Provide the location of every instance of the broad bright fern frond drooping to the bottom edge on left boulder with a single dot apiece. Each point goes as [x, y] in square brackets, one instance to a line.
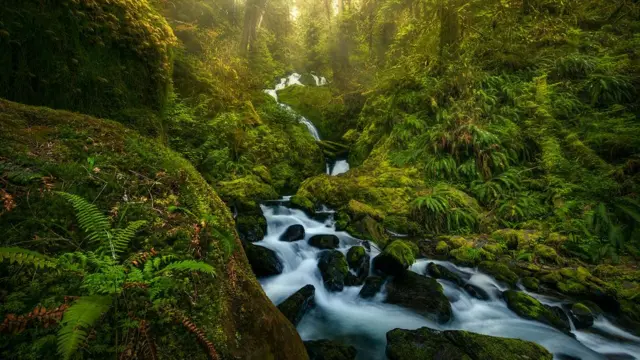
[76, 321]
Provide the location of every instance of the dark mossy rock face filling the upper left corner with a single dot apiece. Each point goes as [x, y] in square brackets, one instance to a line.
[103, 58]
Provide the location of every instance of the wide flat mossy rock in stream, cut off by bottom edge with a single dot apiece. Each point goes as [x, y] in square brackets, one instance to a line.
[429, 344]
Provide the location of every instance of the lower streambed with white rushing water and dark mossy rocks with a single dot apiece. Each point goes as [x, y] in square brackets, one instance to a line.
[349, 300]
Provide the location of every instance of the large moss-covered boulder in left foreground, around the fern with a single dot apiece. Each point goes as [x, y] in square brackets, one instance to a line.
[130, 178]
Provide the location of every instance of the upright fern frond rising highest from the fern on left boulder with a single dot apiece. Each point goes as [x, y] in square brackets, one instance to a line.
[91, 220]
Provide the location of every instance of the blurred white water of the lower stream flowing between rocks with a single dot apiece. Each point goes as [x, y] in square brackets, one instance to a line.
[346, 317]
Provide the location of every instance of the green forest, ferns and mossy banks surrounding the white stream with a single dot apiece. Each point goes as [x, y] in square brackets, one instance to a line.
[499, 130]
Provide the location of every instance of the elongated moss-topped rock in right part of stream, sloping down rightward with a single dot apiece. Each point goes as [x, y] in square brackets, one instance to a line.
[530, 308]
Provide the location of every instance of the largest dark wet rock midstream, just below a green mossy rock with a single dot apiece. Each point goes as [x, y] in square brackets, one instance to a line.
[421, 294]
